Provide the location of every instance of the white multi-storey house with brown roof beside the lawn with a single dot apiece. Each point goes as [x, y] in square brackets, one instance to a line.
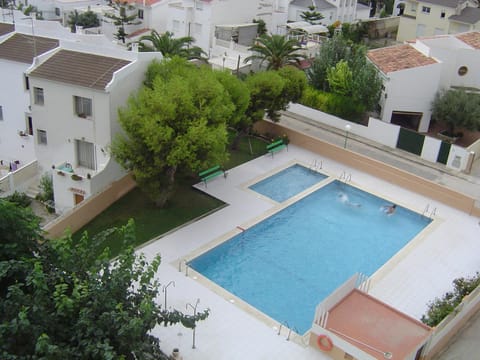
[75, 100]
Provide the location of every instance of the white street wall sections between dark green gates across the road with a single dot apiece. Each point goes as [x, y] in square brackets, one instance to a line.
[387, 134]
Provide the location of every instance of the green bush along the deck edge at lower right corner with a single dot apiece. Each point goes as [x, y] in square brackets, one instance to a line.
[438, 309]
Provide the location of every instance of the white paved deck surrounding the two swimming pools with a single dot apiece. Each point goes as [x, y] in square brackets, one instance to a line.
[423, 270]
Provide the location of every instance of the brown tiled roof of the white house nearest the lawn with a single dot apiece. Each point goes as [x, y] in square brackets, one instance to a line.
[82, 69]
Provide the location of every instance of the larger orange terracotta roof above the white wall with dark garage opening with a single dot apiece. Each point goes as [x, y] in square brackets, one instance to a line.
[400, 57]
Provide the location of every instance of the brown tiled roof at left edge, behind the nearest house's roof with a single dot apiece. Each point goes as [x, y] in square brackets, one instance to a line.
[21, 47]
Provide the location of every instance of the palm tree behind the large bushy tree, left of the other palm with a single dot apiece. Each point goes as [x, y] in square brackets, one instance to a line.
[169, 47]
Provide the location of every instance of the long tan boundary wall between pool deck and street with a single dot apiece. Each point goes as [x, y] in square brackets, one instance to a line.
[378, 169]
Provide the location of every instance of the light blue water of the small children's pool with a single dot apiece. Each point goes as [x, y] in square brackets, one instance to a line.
[288, 182]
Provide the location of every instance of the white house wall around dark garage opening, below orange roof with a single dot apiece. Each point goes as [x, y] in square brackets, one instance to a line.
[412, 90]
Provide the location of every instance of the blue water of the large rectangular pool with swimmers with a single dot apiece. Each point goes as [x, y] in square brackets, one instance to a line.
[285, 265]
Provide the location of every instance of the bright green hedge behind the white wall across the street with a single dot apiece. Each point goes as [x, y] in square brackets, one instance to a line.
[335, 104]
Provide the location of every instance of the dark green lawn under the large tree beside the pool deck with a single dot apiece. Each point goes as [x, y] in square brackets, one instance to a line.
[187, 205]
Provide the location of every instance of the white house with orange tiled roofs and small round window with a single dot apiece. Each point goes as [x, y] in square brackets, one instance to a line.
[413, 73]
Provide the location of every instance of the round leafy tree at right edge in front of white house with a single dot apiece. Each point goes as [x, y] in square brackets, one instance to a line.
[457, 108]
